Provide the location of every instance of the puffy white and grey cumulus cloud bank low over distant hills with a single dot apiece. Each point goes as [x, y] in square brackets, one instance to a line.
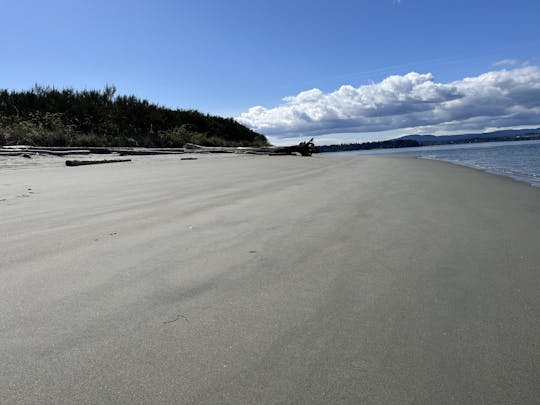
[414, 100]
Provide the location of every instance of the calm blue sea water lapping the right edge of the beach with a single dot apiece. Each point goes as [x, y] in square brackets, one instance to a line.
[519, 160]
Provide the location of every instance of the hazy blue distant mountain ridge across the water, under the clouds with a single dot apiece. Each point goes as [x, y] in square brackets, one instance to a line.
[502, 135]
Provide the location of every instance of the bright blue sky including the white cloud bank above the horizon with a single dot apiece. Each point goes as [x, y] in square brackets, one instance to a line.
[340, 71]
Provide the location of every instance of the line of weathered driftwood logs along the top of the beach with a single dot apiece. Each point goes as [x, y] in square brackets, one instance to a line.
[303, 148]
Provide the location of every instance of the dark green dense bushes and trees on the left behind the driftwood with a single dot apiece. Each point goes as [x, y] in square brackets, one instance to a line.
[45, 116]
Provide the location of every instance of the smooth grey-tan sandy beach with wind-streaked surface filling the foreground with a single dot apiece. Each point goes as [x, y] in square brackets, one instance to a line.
[258, 280]
